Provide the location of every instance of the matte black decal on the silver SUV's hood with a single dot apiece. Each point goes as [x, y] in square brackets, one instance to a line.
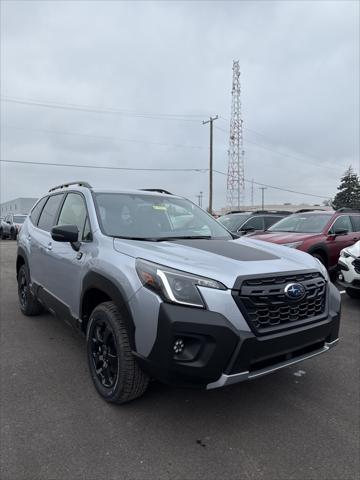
[229, 249]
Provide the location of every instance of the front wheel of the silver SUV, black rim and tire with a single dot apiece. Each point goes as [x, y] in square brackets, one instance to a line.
[116, 375]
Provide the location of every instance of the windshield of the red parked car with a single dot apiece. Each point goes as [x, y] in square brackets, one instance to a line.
[302, 223]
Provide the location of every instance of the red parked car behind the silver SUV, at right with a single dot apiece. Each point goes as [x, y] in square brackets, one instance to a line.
[321, 233]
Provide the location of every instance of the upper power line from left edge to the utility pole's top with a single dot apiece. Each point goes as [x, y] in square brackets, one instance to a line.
[105, 110]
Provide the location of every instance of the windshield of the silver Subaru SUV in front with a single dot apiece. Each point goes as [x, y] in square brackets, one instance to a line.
[151, 217]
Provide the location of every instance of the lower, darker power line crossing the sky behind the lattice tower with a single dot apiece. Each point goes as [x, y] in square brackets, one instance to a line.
[200, 170]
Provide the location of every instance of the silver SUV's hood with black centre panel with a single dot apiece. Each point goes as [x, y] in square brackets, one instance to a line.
[222, 260]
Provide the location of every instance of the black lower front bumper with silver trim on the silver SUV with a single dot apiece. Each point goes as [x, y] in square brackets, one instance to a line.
[216, 354]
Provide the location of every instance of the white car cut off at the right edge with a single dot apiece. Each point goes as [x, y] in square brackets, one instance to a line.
[349, 270]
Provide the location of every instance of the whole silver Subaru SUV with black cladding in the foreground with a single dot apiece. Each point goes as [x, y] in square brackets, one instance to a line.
[162, 290]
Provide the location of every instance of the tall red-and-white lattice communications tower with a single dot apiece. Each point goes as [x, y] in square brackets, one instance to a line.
[235, 176]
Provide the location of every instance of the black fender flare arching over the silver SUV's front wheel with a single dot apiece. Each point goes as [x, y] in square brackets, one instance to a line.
[94, 280]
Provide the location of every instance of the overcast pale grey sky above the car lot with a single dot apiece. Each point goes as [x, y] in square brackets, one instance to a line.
[164, 67]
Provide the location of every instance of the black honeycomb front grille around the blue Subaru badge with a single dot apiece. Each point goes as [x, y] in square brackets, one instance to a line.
[266, 307]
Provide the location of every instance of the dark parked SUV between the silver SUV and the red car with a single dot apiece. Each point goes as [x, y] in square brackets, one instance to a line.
[241, 223]
